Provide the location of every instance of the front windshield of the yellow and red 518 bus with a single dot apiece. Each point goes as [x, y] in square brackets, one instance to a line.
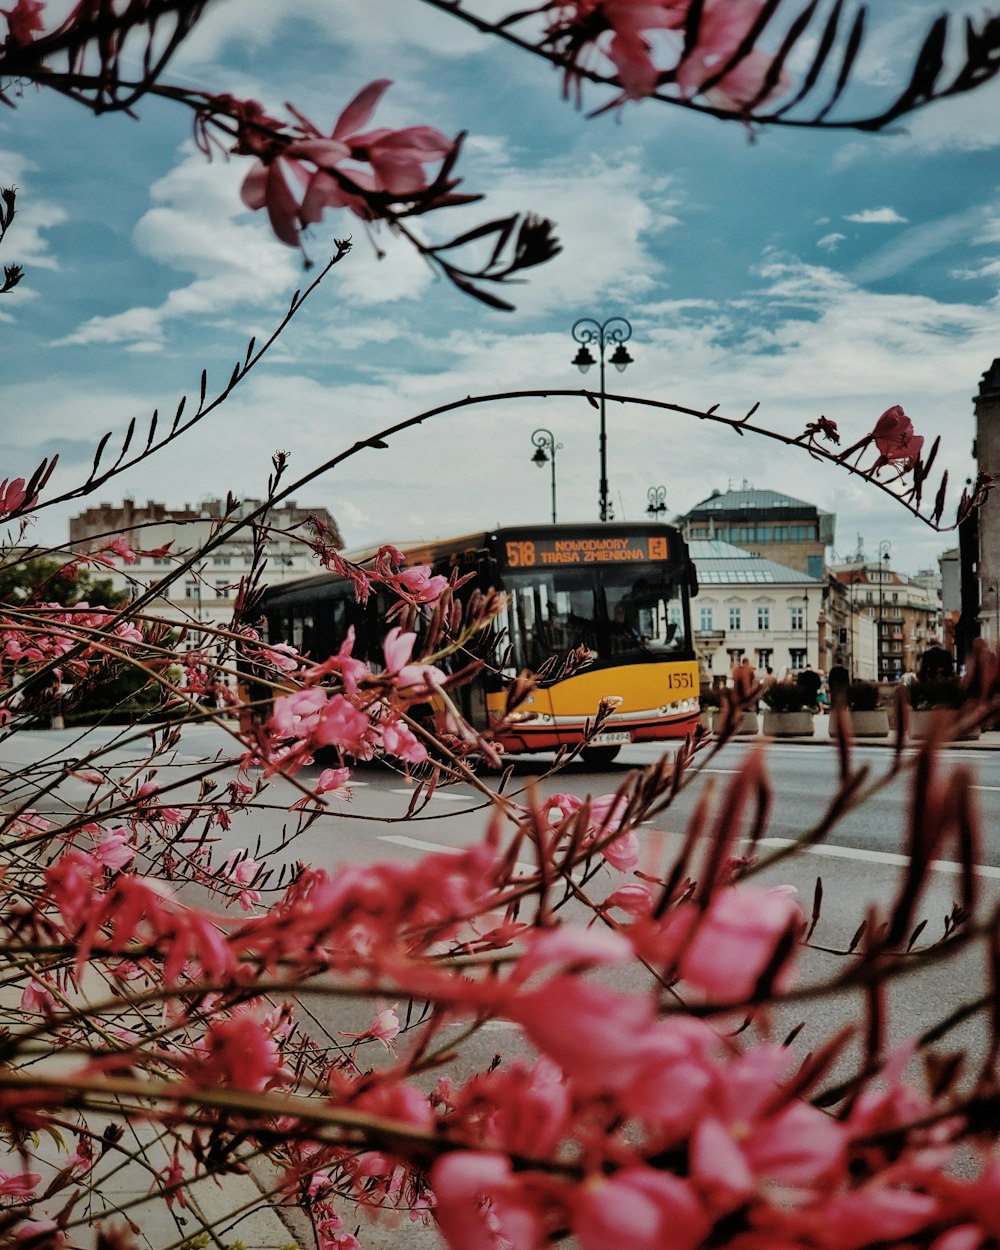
[619, 613]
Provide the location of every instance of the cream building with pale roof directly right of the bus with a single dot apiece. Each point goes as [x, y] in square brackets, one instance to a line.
[753, 607]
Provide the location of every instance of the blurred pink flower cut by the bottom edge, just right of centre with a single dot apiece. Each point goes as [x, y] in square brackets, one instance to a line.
[641, 1209]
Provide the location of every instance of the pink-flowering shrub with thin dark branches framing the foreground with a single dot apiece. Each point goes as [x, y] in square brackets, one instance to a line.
[184, 989]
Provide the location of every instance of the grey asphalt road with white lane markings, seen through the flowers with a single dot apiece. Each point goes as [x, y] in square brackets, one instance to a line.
[859, 866]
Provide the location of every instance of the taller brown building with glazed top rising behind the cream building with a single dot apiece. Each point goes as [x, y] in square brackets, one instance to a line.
[767, 523]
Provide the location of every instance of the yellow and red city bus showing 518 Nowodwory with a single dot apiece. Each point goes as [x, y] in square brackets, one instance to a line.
[622, 592]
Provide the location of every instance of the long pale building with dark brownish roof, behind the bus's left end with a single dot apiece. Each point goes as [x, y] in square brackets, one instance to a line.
[204, 593]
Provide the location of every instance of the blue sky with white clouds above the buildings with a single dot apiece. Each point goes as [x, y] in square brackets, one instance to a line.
[831, 274]
